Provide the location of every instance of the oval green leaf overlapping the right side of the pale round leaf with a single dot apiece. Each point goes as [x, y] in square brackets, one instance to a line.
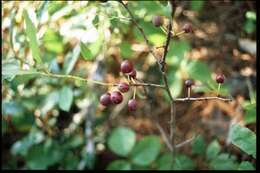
[146, 151]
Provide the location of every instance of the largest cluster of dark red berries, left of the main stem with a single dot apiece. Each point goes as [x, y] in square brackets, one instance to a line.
[116, 97]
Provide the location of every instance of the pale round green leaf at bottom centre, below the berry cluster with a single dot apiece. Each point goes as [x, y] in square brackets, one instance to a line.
[121, 141]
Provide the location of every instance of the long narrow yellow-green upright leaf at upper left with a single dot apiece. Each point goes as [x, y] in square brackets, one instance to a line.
[30, 31]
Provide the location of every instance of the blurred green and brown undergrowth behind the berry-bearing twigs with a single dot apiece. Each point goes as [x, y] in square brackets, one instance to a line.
[58, 123]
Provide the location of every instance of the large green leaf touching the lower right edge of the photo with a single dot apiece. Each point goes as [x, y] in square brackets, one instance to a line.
[243, 138]
